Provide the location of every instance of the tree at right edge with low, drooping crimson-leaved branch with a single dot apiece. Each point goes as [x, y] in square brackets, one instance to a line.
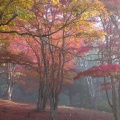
[108, 56]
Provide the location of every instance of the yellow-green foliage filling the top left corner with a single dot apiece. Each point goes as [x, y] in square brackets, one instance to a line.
[11, 9]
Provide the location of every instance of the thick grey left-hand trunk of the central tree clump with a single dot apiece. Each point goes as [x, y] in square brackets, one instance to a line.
[43, 86]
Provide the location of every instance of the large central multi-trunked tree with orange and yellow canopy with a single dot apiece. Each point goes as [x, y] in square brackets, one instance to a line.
[53, 31]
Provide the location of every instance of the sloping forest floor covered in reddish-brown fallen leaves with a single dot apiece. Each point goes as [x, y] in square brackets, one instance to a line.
[22, 111]
